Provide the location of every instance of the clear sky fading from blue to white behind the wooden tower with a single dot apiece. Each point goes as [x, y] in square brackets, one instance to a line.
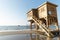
[13, 12]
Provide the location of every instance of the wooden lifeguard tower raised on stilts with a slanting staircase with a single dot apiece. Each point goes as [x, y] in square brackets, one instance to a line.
[44, 16]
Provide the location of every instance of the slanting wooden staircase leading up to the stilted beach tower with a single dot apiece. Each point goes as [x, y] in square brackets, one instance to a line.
[43, 27]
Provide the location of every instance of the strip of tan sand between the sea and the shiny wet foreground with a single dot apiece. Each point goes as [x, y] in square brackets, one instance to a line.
[13, 32]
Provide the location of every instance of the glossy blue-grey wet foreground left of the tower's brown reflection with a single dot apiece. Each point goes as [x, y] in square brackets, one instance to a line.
[14, 37]
